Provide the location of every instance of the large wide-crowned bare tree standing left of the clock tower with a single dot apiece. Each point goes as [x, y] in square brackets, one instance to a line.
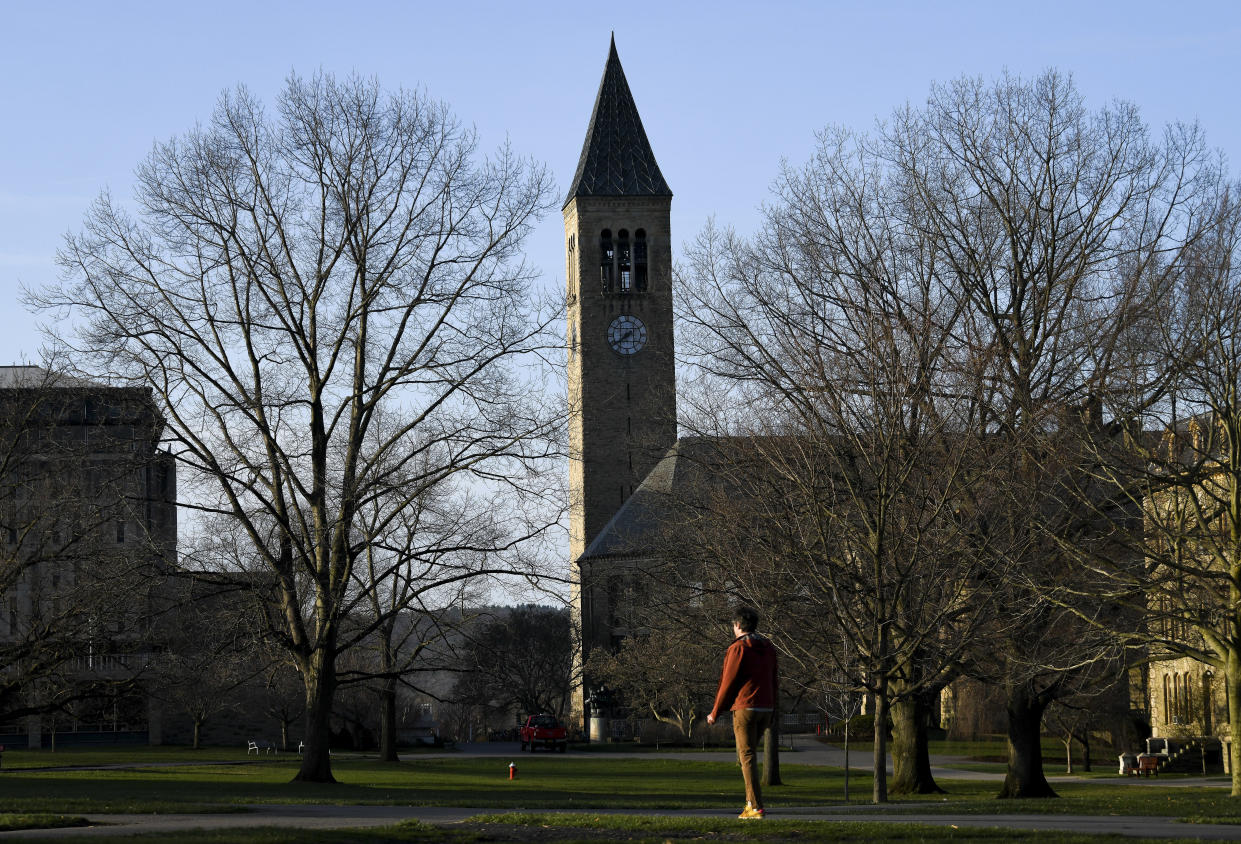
[322, 300]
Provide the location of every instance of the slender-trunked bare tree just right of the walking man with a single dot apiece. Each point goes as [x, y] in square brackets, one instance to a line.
[833, 330]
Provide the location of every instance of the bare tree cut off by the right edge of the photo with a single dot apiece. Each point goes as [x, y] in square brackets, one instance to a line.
[1171, 461]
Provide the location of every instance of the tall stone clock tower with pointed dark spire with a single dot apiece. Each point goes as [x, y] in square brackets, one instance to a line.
[620, 302]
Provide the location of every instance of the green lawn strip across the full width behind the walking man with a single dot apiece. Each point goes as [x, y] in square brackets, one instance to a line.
[559, 783]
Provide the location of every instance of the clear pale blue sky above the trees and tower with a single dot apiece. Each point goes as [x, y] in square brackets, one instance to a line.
[727, 90]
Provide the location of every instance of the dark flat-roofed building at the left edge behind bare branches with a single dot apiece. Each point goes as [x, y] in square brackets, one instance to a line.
[87, 529]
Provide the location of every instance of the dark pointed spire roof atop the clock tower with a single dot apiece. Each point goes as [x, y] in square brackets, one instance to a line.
[617, 159]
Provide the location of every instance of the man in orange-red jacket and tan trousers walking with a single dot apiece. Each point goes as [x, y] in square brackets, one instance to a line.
[749, 688]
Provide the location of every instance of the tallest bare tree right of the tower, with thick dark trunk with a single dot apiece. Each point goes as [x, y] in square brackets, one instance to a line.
[1043, 215]
